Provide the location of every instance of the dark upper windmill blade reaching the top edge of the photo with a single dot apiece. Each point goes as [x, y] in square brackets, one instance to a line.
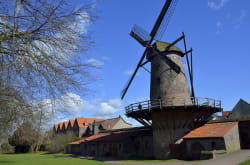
[160, 19]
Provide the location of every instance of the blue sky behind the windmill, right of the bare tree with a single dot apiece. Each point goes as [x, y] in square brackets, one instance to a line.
[217, 30]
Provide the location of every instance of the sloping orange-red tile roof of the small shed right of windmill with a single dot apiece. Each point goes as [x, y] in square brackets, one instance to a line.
[211, 130]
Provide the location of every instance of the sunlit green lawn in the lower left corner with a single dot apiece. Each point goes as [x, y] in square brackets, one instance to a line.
[44, 159]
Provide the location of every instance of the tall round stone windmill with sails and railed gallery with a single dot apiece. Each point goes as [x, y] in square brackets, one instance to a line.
[173, 109]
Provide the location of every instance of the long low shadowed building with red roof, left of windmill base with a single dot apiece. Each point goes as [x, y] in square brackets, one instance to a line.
[130, 142]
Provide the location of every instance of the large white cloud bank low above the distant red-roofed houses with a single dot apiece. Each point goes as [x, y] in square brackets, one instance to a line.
[70, 106]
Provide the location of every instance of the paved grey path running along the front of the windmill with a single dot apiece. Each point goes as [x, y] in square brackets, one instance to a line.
[234, 158]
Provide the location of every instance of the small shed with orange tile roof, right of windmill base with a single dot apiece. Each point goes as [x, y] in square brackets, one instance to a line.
[214, 137]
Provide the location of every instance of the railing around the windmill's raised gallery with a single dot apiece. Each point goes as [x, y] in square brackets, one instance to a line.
[157, 103]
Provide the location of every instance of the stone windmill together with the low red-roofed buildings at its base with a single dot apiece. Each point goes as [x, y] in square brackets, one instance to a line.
[175, 121]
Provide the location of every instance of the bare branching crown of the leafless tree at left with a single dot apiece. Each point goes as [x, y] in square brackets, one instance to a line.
[42, 43]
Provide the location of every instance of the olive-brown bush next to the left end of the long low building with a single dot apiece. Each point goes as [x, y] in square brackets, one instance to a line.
[59, 142]
